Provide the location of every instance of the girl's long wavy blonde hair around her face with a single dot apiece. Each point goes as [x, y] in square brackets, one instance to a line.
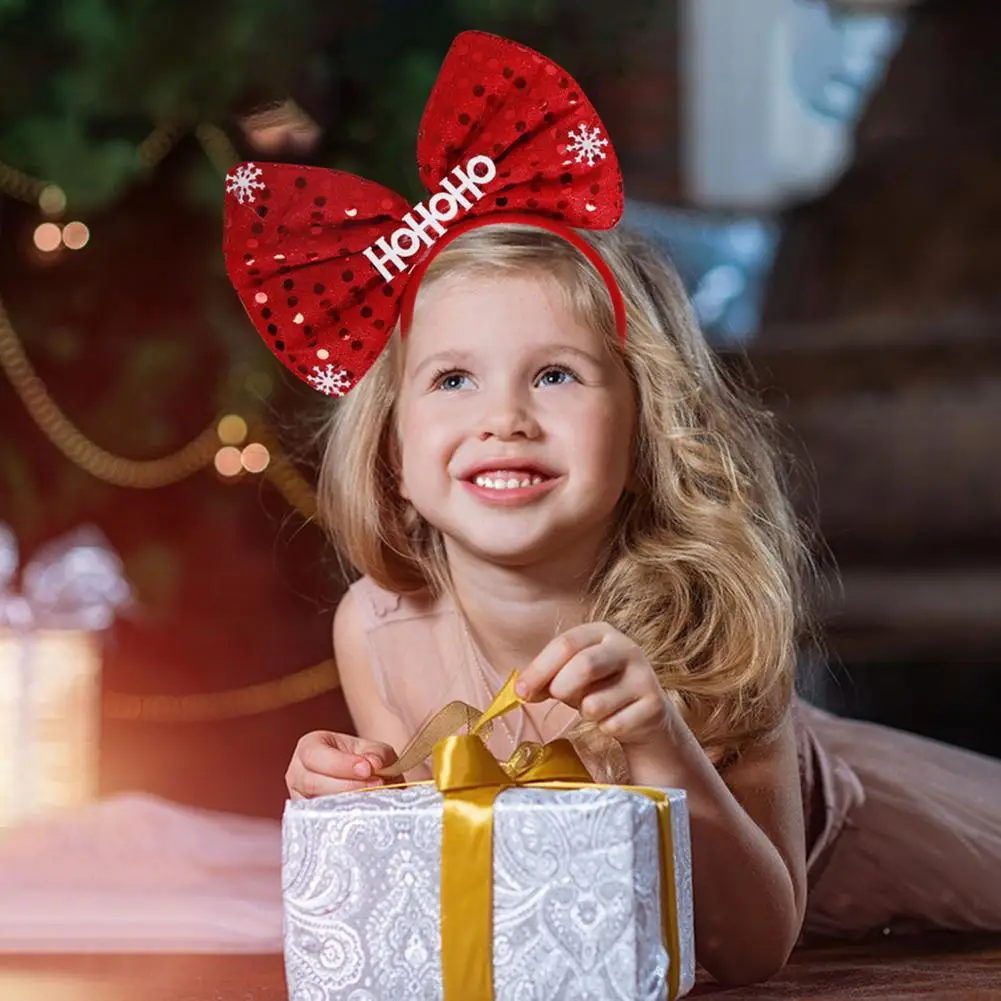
[704, 567]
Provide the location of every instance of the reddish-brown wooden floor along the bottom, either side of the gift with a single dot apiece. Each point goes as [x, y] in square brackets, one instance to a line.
[938, 968]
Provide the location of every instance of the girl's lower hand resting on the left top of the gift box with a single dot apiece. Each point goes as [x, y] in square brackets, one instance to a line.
[326, 763]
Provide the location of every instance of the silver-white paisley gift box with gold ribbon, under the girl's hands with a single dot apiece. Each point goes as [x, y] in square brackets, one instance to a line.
[513, 885]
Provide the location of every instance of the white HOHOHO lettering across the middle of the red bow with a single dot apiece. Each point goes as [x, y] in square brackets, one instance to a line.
[423, 226]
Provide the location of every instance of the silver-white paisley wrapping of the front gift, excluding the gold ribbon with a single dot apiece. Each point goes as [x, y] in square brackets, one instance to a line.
[577, 904]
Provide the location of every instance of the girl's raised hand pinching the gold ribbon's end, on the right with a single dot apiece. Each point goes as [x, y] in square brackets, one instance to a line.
[606, 677]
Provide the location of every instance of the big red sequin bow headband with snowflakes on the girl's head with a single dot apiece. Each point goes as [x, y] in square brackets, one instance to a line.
[326, 263]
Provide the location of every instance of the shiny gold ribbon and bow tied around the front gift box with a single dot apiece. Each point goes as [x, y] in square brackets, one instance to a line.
[470, 779]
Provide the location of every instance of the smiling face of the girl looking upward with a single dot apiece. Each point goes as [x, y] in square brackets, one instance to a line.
[515, 422]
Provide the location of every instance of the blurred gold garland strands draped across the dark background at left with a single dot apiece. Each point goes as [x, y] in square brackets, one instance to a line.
[153, 474]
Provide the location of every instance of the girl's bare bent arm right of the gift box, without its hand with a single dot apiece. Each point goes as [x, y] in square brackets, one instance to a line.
[748, 847]
